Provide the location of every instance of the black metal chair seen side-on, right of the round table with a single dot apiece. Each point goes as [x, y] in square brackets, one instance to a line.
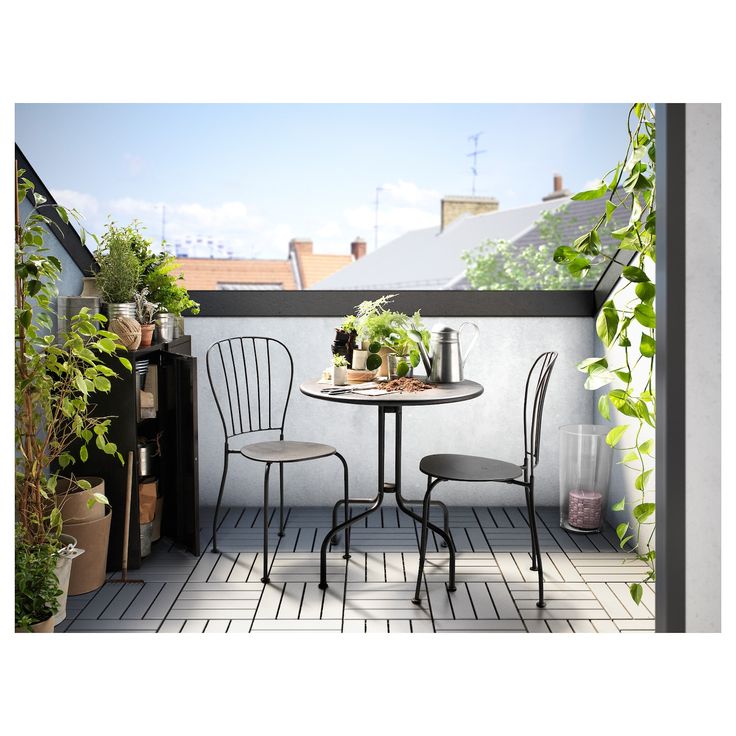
[468, 468]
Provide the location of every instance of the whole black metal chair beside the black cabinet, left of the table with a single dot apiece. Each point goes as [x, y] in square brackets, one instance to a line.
[249, 401]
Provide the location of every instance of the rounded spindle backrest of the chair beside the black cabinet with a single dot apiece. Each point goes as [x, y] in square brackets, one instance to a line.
[240, 371]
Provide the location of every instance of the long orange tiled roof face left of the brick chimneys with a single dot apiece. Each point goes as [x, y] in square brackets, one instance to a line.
[204, 274]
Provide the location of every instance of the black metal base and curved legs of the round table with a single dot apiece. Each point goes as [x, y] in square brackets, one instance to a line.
[376, 503]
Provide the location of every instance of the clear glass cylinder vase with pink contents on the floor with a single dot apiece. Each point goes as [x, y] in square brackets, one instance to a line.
[585, 471]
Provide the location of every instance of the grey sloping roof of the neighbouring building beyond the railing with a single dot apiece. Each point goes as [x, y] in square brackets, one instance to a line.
[431, 259]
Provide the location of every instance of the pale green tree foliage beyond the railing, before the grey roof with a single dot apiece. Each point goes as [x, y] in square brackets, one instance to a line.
[498, 265]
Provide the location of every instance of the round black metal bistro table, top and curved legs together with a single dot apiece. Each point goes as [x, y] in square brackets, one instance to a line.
[390, 403]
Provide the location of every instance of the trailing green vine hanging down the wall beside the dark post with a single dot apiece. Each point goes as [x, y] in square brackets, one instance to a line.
[629, 187]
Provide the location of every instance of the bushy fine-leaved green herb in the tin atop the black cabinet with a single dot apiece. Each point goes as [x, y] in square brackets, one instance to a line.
[119, 267]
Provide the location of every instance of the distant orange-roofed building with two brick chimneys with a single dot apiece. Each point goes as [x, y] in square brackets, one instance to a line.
[301, 270]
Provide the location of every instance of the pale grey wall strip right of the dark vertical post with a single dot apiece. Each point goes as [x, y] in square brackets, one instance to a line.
[703, 368]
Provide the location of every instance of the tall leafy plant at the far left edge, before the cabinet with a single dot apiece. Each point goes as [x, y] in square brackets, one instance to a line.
[54, 385]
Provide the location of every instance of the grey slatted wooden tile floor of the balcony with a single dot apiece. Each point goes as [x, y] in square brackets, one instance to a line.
[586, 578]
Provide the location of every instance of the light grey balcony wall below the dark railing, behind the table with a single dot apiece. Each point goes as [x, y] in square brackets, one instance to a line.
[489, 425]
